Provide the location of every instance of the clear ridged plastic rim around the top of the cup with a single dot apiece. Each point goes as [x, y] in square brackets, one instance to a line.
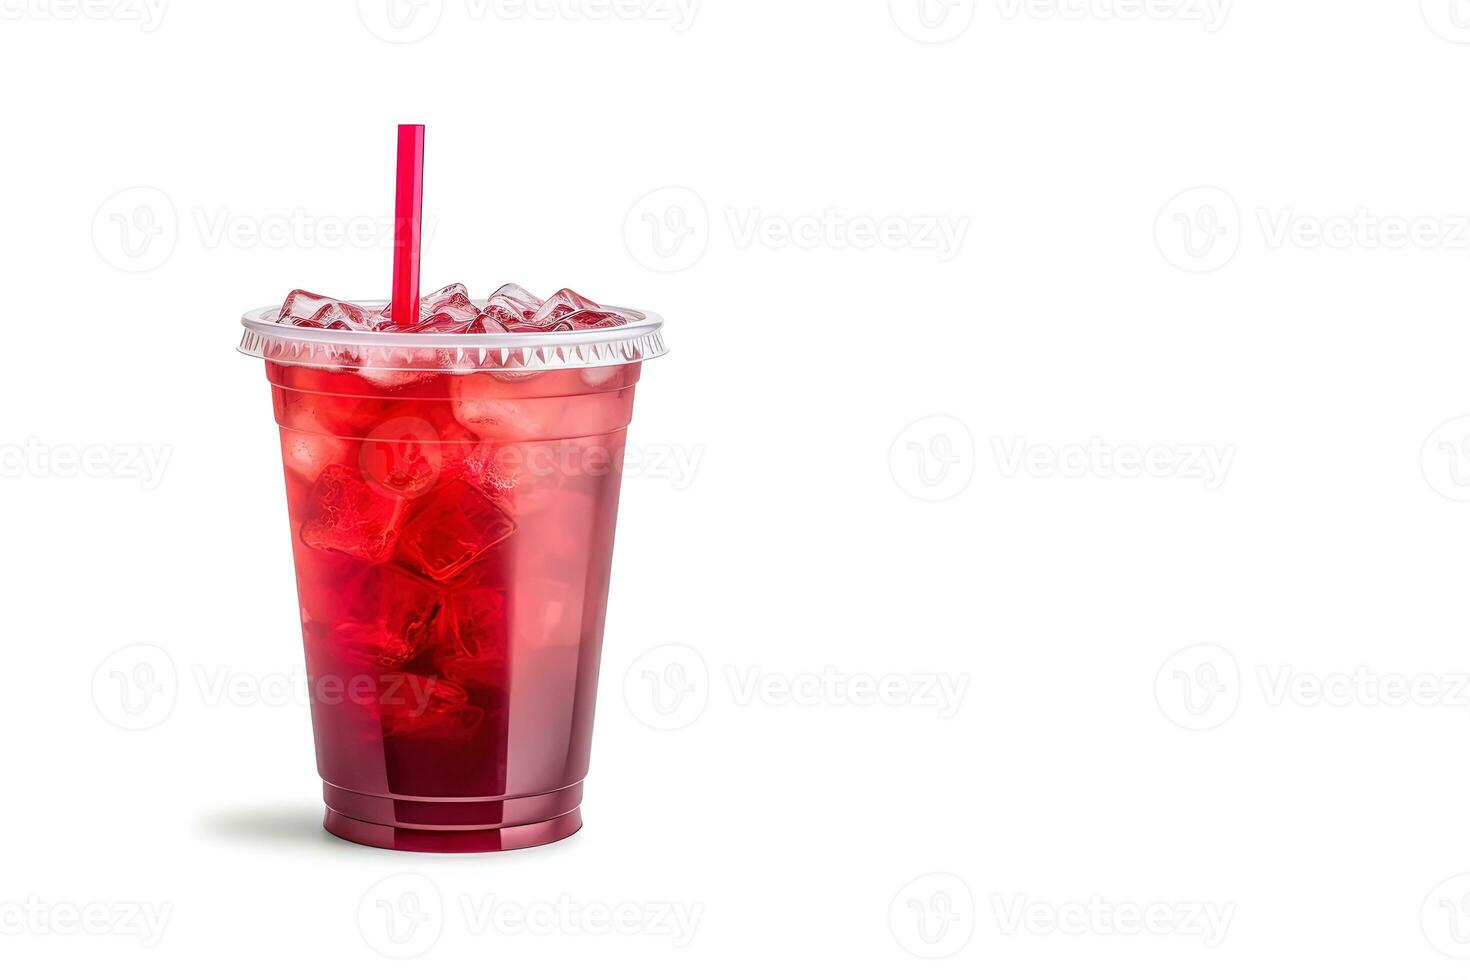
[639, 340]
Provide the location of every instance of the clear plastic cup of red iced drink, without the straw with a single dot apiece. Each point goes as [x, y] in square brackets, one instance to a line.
[453, 502]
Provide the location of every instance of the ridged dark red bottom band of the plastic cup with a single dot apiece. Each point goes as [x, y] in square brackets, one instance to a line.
[453, 826]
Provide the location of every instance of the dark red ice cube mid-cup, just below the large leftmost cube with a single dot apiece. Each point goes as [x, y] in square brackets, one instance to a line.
[390, 619]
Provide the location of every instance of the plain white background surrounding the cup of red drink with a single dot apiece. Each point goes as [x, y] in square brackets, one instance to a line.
[1097, 311]
